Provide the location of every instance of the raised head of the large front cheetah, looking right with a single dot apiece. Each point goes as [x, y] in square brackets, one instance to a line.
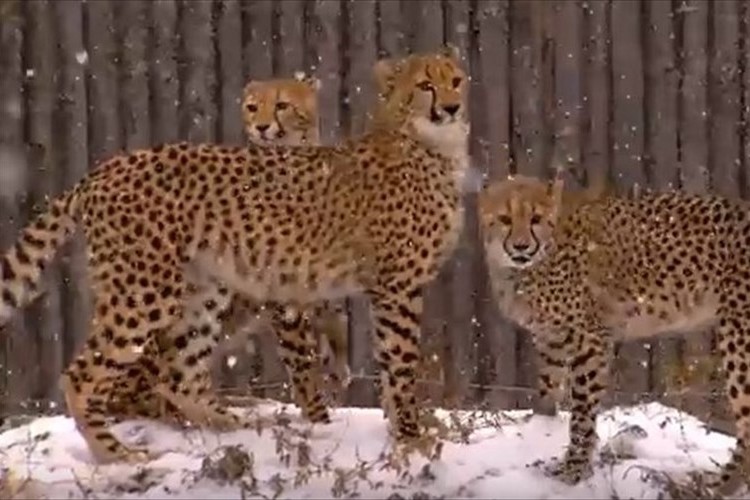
[428, 91]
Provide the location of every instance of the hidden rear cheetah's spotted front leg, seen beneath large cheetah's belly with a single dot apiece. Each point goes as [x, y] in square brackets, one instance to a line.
[298, 350]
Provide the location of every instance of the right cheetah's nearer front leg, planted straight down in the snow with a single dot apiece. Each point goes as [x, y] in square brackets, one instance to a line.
[589, 366]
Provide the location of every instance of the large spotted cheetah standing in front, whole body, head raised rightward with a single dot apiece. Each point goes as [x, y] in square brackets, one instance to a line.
[377, 214]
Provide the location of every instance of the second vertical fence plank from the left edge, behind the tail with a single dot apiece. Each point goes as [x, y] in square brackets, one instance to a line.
[41, 91]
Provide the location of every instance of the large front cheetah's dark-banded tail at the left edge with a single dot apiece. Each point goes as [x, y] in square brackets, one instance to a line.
[22, 265]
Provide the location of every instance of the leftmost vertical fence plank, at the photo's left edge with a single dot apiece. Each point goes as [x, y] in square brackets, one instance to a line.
[12, 118]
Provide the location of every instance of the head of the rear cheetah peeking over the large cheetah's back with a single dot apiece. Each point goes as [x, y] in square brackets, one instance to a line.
[281, 111]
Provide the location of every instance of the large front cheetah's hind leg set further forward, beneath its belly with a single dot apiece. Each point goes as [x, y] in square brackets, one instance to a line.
[186, 382]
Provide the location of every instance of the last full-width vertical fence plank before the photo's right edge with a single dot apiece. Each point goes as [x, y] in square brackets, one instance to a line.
[725, 99]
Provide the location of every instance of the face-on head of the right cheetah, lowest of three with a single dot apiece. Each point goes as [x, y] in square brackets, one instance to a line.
[517, 217]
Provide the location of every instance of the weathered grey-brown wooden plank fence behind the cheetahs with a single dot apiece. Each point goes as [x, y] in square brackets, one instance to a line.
[654, 93]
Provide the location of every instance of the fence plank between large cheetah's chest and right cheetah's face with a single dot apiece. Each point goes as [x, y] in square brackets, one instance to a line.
[460, 360]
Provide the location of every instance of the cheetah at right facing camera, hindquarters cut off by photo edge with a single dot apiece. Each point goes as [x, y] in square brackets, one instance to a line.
[583, 274]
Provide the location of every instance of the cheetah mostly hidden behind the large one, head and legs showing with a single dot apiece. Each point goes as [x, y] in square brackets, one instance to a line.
[282, 111]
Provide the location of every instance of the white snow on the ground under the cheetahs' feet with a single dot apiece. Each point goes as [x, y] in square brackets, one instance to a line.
[48, 458]
